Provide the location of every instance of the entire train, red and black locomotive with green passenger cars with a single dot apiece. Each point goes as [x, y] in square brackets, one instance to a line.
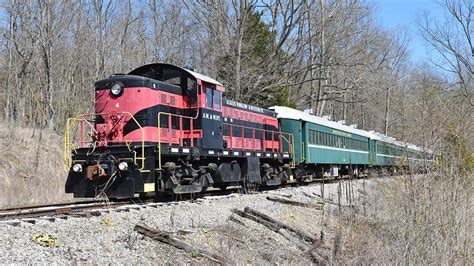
[164, 129]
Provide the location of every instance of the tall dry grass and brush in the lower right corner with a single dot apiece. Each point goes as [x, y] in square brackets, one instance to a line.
[410, 220]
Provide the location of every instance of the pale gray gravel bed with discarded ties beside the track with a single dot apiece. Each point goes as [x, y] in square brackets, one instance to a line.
[110, 238]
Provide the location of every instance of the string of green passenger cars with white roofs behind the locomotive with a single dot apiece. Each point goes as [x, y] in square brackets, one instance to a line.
[324, 147]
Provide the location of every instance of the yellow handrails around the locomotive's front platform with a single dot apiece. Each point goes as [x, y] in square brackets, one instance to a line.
[72, 123]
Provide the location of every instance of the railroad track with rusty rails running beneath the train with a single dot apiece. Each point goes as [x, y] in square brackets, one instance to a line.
[30, 214]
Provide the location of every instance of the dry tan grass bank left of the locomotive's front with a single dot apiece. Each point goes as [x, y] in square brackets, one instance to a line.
[30, 167]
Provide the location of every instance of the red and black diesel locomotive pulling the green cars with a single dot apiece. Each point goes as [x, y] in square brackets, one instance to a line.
[166, 129]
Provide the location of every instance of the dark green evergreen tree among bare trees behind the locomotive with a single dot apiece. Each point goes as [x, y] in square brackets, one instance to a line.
[255, 50]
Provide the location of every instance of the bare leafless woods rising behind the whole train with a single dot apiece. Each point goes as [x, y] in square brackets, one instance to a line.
[328, 55]
